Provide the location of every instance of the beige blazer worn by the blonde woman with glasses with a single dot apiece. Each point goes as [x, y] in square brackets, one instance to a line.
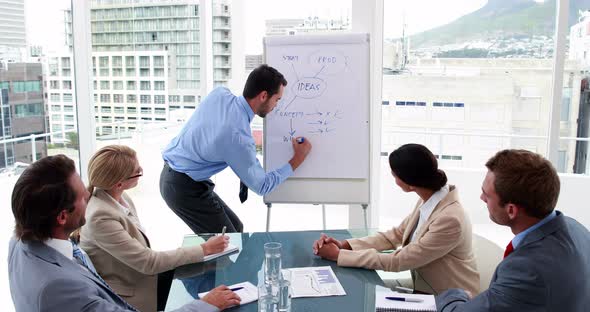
[121, 252]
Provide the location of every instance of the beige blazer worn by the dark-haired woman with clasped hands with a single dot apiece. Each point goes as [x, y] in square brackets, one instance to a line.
[441, 256]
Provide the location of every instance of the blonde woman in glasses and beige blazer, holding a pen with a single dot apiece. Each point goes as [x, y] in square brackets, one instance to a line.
[117, 244]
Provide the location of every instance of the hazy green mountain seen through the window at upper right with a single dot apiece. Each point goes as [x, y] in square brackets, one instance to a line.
[500, 19]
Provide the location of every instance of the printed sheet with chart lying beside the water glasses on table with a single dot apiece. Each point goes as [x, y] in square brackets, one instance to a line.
[315, 282]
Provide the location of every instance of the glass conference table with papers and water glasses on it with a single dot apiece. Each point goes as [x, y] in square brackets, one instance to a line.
[245, 265]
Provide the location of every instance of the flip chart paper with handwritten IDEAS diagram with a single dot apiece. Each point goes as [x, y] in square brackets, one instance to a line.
[326, 101]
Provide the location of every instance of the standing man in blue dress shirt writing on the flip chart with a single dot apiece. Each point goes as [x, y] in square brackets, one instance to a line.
[216, 136]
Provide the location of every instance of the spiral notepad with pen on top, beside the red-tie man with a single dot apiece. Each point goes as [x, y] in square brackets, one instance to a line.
[381, 304]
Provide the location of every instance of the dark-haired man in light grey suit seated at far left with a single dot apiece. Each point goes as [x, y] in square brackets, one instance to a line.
[47, 272]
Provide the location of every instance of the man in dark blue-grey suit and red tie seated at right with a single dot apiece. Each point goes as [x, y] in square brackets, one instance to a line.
[547, 264]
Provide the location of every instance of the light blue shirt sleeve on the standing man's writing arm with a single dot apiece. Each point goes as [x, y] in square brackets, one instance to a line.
[241, 157]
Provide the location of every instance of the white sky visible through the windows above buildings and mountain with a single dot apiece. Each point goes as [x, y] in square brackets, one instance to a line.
[45, 18]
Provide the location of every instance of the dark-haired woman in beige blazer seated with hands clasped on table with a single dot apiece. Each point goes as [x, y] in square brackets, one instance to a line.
[434, 241]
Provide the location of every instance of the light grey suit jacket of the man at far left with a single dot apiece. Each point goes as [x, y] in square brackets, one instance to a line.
[42, 279]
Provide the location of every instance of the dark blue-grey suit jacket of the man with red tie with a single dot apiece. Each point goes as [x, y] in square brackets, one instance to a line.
[548, 271]
